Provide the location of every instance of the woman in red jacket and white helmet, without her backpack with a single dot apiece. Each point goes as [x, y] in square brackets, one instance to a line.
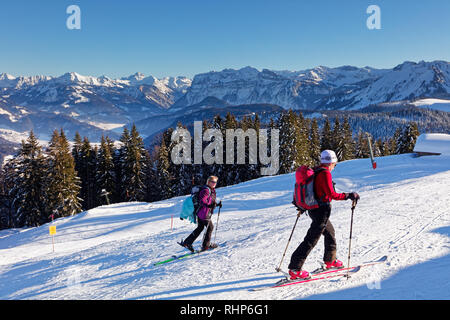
[321, 225]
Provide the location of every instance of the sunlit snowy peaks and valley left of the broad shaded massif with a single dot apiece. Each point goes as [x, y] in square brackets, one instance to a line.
[91, 105]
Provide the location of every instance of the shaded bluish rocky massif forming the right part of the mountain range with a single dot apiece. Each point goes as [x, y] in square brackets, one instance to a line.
[319, 88]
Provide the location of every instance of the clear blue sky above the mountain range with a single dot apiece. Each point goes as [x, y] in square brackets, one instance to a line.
[174, 37]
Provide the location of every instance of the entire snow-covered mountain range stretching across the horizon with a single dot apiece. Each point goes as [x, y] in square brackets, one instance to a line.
[101, 105]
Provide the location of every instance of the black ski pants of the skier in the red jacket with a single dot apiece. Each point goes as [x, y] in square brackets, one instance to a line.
[320, 225]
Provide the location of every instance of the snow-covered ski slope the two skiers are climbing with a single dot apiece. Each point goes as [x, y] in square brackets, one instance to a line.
[108, 252]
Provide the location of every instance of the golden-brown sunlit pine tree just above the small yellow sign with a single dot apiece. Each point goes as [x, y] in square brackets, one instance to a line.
[63, 185]
